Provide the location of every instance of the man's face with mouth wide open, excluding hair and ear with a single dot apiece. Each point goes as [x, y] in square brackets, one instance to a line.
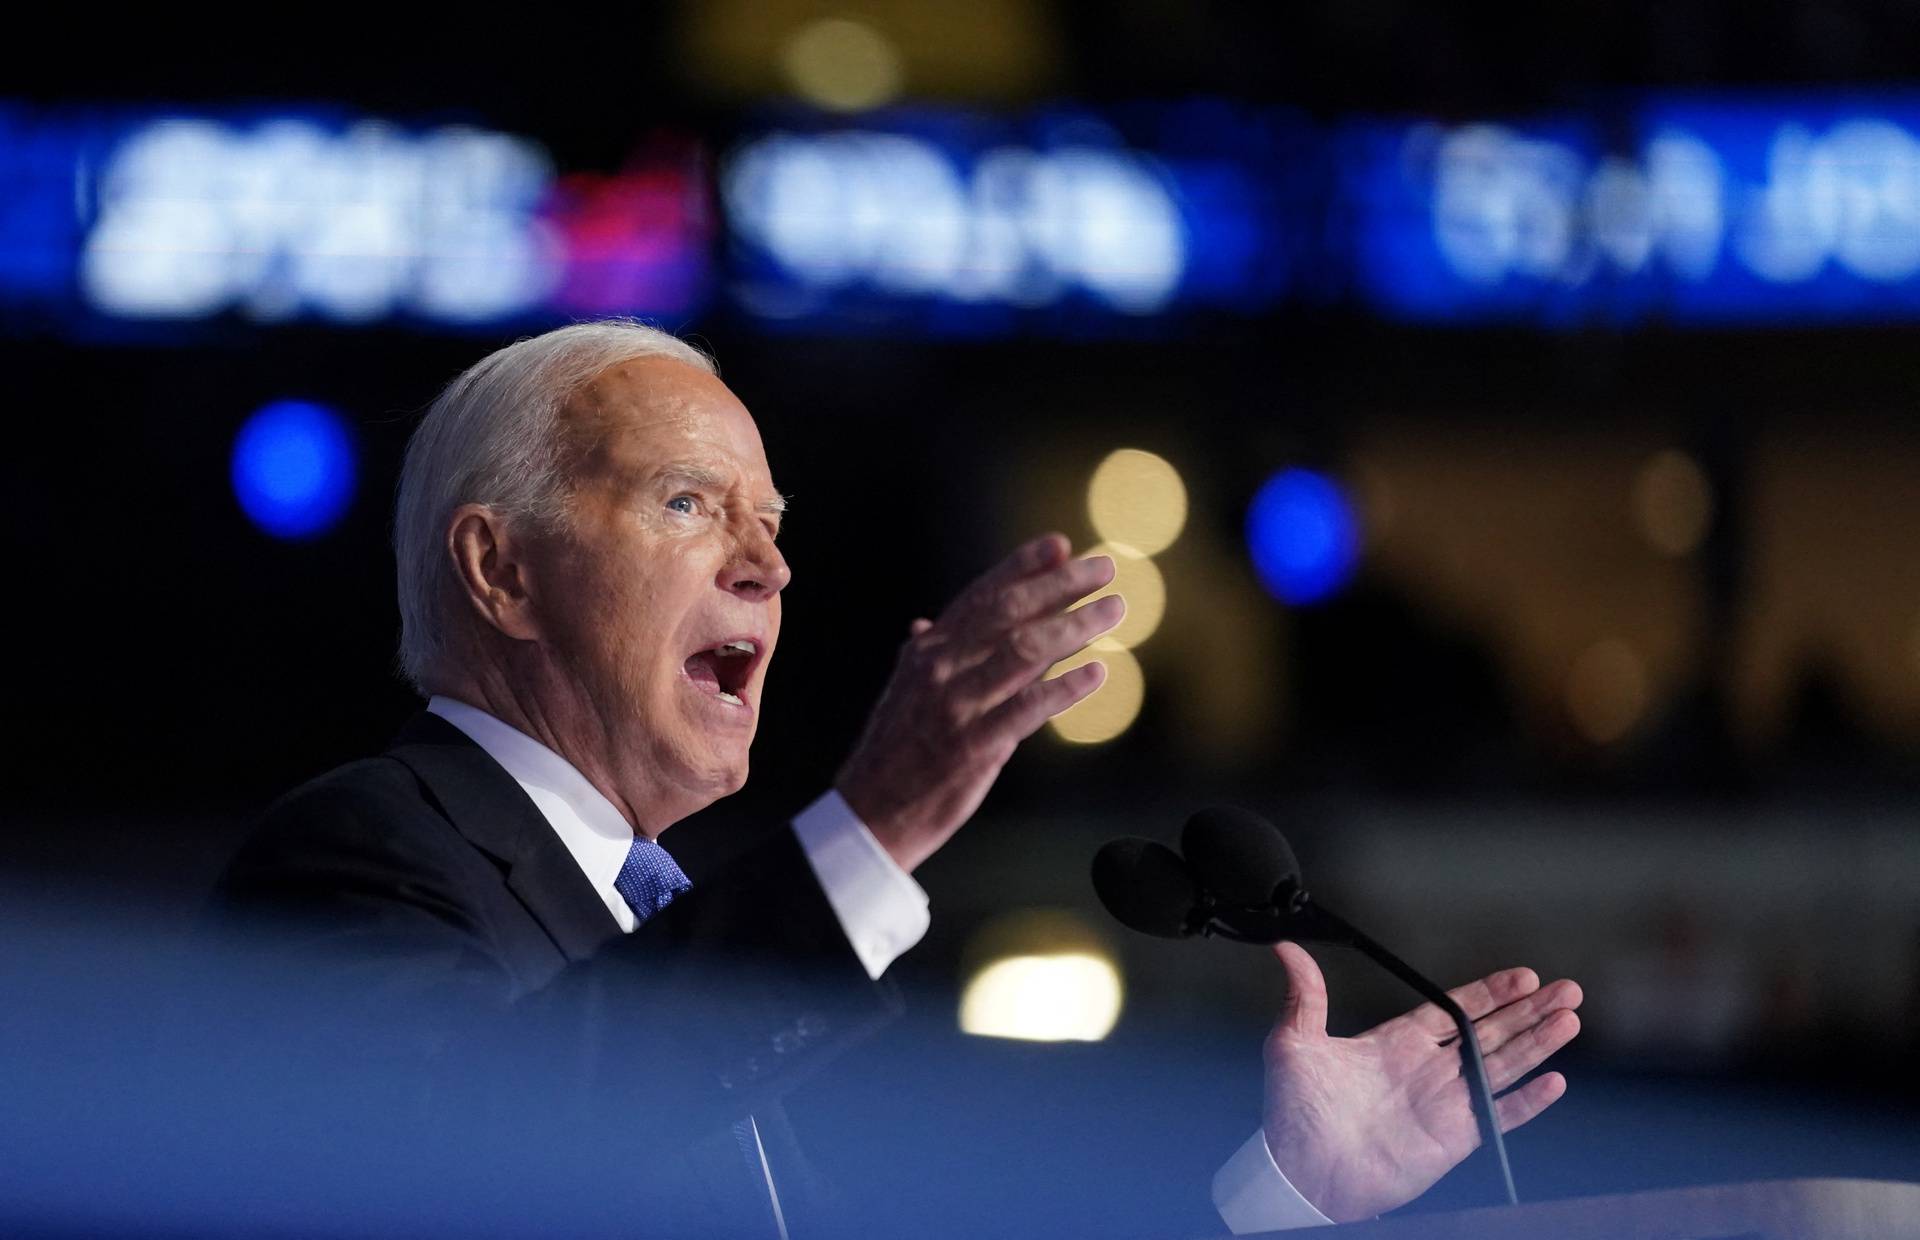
[661, 596]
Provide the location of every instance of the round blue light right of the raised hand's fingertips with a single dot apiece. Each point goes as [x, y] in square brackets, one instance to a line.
[1303, 537]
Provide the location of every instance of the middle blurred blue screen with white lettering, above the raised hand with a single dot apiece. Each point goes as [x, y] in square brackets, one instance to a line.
[961, 224]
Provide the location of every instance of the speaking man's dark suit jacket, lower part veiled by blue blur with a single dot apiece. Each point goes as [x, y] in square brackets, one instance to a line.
[446, 942]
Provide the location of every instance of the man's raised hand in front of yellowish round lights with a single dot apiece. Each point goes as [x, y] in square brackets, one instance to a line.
[969, 690]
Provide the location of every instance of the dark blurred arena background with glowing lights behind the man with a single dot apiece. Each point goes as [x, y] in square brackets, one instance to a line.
[1502, 419]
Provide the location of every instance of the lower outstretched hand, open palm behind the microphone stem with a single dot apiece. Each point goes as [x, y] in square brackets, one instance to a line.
[1366, 1124]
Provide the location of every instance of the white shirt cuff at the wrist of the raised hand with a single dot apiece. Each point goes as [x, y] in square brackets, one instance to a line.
[880, 907]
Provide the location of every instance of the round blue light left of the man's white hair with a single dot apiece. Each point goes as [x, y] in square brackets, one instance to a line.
[293, 469]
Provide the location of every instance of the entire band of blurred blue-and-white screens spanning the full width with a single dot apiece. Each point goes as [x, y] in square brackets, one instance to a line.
[1660, 208]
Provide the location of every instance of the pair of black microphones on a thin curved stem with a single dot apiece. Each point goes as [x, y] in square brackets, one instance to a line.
[1241, 882]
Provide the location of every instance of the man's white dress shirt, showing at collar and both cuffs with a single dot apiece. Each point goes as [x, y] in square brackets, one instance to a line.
[880, 907]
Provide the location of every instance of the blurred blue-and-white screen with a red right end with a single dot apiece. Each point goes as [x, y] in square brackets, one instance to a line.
[316, 216]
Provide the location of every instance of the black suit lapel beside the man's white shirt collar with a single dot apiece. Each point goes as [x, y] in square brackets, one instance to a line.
[485, 805]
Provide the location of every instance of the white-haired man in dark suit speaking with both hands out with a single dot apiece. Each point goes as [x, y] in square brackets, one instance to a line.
[590, 592]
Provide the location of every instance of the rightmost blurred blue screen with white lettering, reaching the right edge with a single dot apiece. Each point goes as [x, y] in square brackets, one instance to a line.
[1704, 210]
